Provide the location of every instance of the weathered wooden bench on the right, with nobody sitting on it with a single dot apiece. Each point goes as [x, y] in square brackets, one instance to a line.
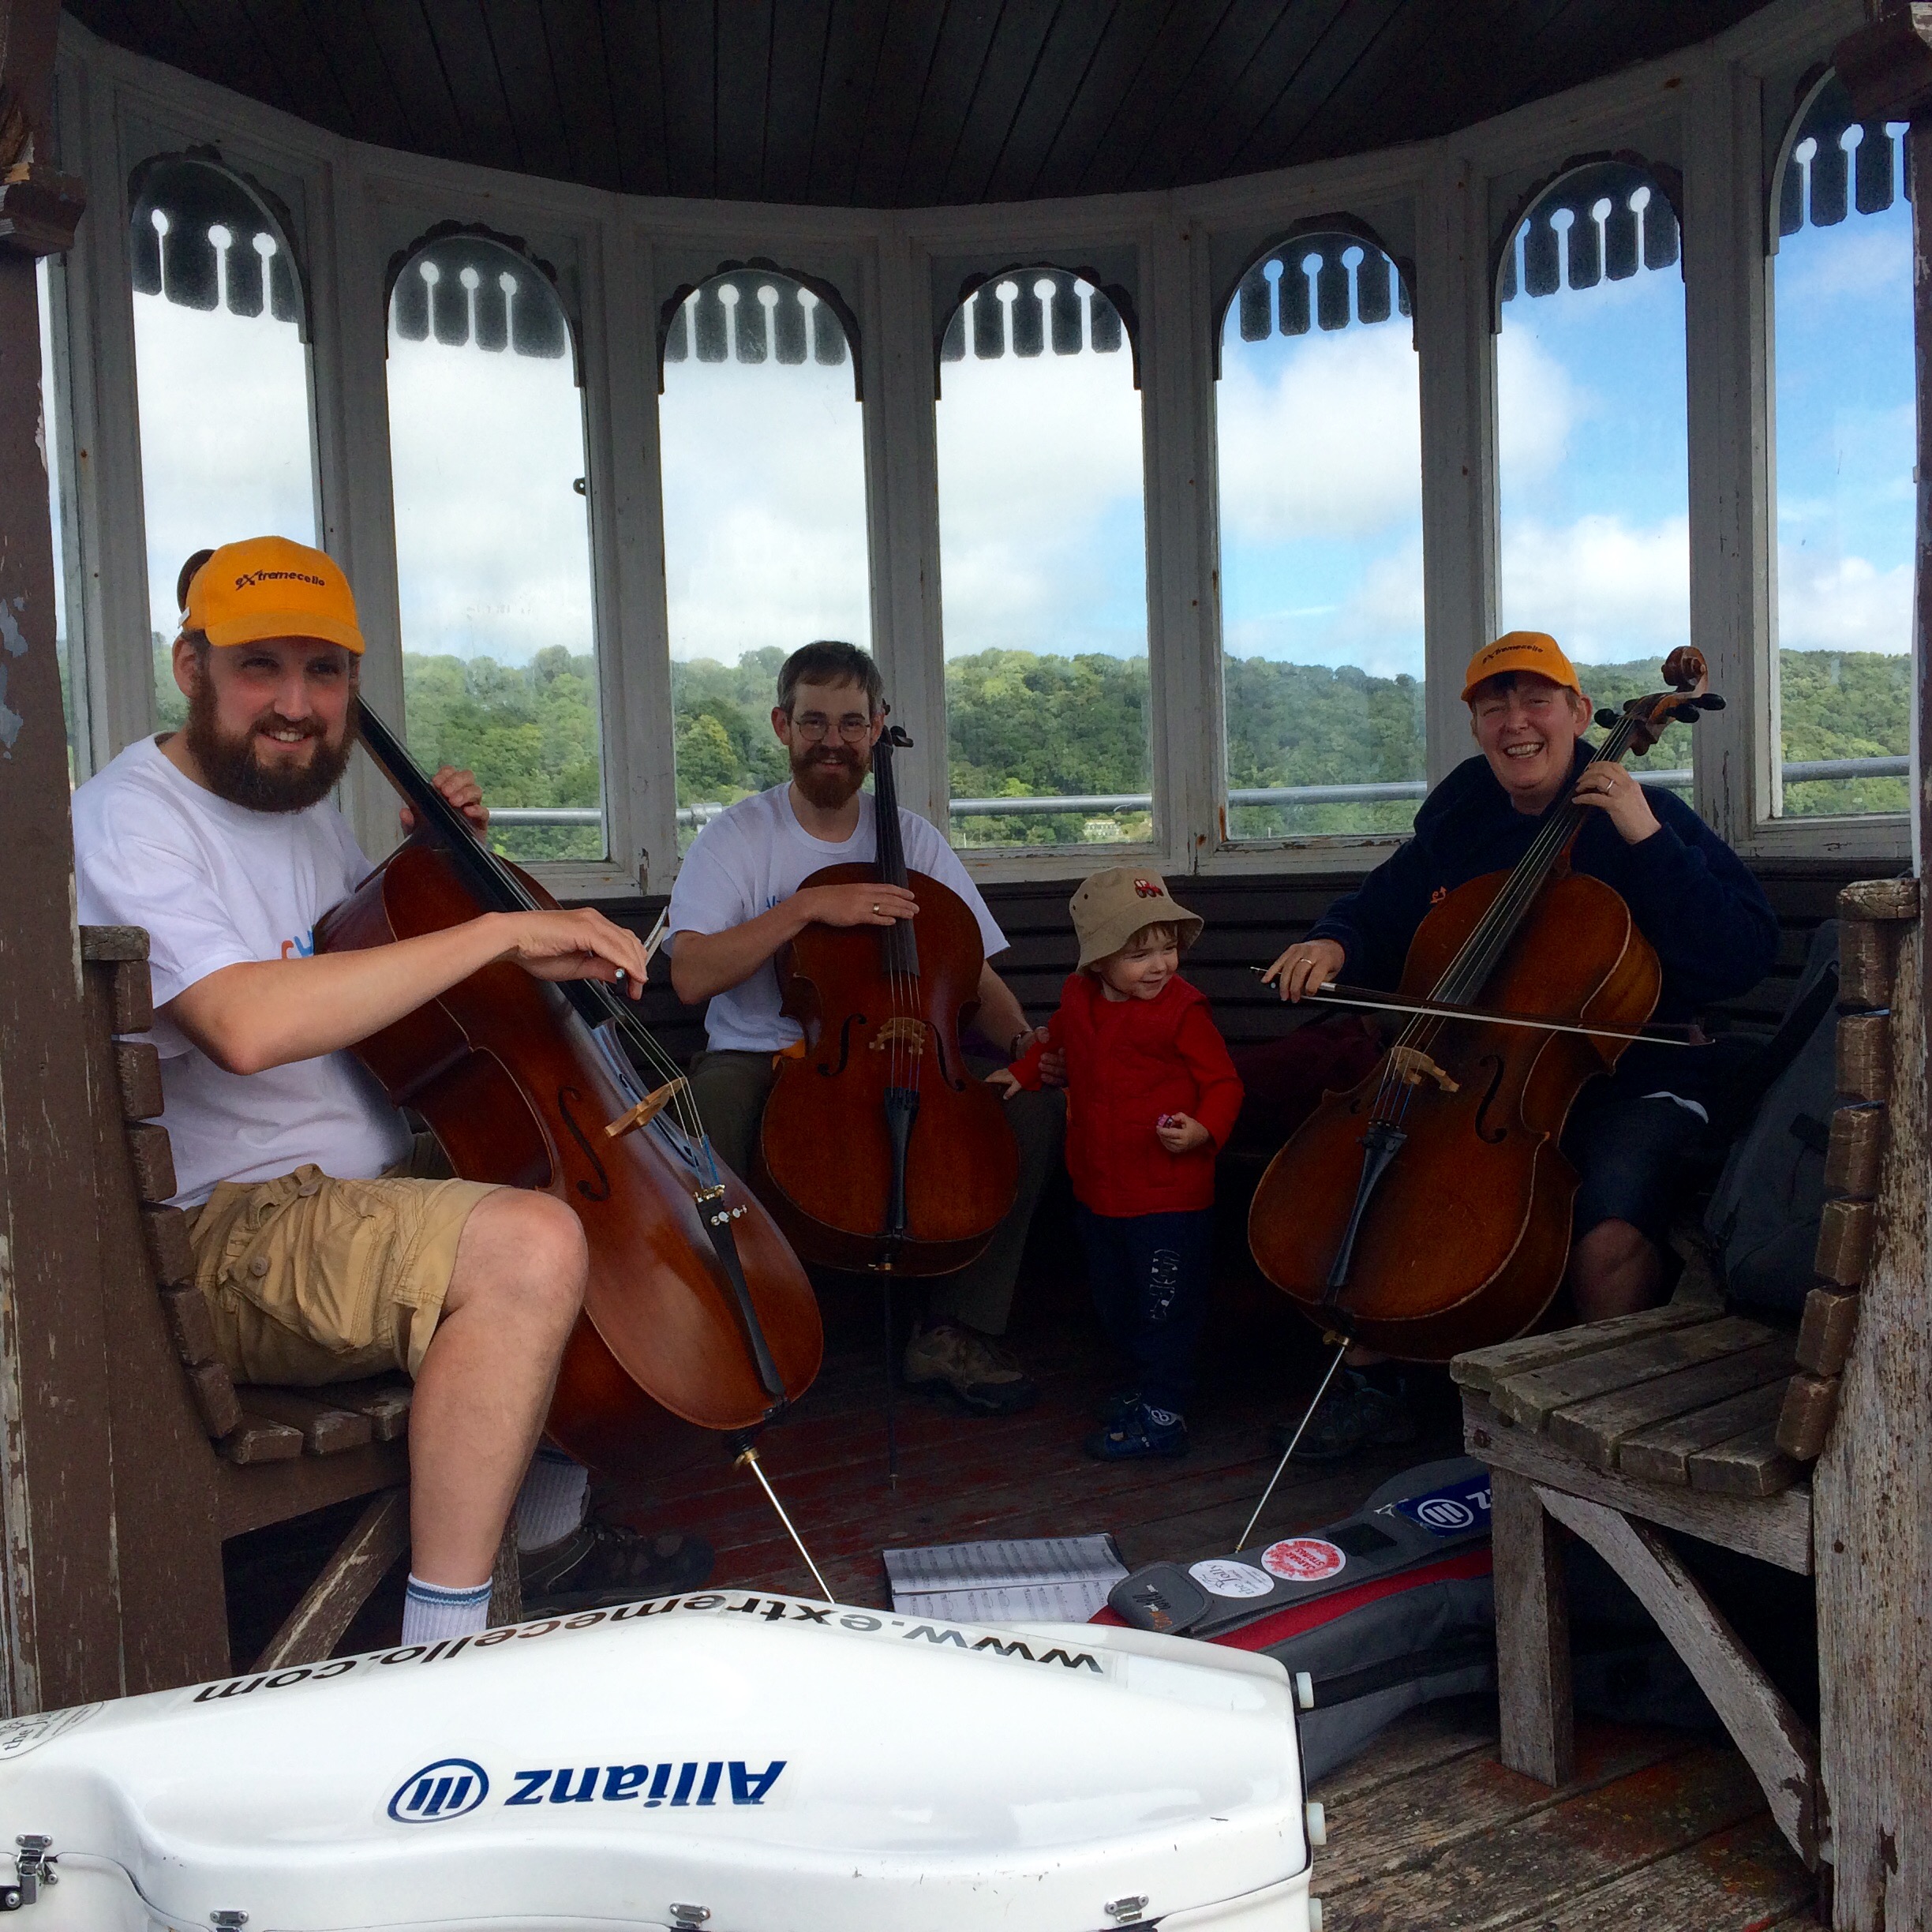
[1690, 1419]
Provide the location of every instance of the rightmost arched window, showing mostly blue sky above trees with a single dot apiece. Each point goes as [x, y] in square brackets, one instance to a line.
[1842, 314]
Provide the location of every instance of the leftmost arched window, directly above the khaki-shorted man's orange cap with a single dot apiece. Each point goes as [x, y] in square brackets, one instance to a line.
[221, 374]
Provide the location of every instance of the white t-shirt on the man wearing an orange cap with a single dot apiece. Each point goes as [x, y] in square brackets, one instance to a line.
[219, 886]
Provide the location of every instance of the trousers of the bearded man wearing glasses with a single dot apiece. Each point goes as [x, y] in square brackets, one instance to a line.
[731, 1098]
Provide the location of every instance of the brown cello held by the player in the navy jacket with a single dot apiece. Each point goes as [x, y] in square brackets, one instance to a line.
[1429, 1210]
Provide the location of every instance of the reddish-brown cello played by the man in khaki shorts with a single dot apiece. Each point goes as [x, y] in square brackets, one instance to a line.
[695, 1307]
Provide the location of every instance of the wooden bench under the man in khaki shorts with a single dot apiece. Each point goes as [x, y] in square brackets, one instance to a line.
[196, 1458]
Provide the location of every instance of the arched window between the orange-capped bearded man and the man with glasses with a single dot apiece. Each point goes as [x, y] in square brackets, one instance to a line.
[494, 565]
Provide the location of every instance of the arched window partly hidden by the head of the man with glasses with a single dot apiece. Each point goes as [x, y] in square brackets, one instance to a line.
[764, 474]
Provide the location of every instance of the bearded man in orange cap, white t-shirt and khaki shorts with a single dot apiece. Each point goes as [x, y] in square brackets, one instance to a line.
[327, 1243]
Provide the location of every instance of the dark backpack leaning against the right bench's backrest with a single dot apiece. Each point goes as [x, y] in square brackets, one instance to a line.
[1769, 1201]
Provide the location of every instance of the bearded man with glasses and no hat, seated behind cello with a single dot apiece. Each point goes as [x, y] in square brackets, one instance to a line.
[741, 899]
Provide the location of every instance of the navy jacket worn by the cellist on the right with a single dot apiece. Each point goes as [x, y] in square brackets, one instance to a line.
[1690, 894]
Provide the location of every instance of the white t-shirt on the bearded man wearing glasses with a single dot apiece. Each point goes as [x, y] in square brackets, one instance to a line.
[754, 855]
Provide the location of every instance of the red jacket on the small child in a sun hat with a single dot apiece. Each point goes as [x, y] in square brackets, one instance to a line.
[1131, 1062]
